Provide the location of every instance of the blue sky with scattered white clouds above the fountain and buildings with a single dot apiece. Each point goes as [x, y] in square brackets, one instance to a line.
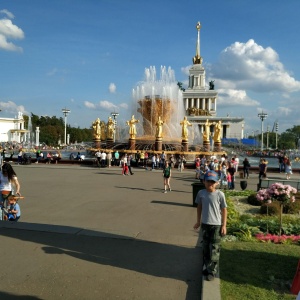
[88, 55]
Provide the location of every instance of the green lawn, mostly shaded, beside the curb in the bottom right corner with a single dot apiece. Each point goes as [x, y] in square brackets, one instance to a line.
[262, 271]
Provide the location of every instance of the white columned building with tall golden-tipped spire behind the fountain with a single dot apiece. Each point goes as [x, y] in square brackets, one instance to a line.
[200, 101]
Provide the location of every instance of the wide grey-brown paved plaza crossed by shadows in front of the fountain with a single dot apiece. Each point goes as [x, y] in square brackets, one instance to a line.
[90, 233]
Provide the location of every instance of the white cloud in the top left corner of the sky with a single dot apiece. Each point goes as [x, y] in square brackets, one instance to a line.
[9, 31]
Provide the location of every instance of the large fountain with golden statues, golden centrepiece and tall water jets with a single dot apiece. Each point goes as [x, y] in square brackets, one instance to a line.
[158, 101]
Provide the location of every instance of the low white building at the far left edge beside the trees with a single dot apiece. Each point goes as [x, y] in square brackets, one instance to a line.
[12, 129]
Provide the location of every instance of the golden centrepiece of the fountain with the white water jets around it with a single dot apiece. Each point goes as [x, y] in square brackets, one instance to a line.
[154, 98]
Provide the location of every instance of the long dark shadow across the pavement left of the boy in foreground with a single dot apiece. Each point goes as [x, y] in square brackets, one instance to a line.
[154, 259]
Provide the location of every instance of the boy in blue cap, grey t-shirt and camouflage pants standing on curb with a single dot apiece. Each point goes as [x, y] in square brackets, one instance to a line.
[212, 215]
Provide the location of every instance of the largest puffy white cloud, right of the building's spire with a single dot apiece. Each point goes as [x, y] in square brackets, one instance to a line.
[249, 66]
